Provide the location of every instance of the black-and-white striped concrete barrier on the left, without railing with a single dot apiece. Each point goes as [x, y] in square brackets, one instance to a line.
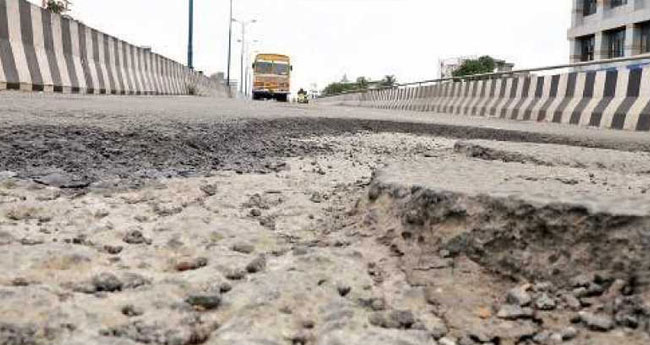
[42, 51]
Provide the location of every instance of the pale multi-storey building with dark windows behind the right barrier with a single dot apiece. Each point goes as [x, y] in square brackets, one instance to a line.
[607, 29]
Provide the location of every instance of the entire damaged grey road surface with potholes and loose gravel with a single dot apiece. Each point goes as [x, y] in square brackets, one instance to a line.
[297, 226]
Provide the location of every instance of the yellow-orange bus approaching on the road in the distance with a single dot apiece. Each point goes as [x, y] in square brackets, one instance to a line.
[271, 77]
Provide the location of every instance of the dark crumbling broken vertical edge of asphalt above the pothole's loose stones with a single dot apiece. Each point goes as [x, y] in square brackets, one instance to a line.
[519, 239]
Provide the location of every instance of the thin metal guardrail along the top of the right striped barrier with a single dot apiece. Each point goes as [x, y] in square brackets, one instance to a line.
[500, 74]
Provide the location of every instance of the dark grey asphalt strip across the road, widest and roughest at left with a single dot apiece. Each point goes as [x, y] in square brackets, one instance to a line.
[73, 156]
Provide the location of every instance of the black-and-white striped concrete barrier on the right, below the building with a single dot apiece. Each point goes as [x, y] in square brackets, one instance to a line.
[615, 98]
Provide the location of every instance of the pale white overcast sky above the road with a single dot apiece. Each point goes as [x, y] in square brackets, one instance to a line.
[329, 38]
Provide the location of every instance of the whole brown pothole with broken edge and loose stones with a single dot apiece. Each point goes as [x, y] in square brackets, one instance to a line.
[564, 271]
